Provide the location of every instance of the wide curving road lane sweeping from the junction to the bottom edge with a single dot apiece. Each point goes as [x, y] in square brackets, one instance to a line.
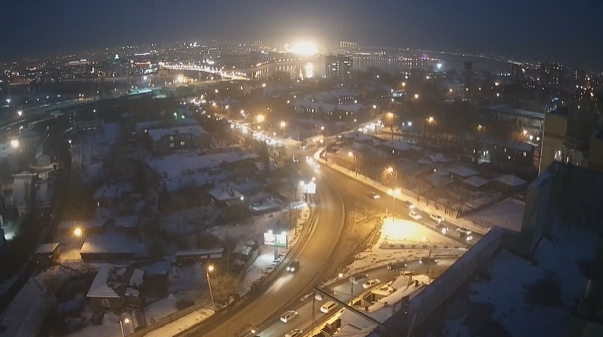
[313, 257]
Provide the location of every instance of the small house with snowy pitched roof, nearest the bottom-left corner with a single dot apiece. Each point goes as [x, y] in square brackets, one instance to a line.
[116, 287]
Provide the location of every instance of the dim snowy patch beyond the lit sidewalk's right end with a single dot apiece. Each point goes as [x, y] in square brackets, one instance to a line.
[506, 214]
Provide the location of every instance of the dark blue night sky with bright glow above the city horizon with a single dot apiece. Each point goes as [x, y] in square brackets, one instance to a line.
[570, 32]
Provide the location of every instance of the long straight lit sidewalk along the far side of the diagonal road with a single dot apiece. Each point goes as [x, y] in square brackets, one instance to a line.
[406, 195]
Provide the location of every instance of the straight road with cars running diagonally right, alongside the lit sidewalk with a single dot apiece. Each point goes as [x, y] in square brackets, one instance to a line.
[359, 192]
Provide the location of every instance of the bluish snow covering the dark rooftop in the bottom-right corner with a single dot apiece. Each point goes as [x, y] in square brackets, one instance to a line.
[543, 290]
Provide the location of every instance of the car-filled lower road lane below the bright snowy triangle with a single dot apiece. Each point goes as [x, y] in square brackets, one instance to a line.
[309, 313]
